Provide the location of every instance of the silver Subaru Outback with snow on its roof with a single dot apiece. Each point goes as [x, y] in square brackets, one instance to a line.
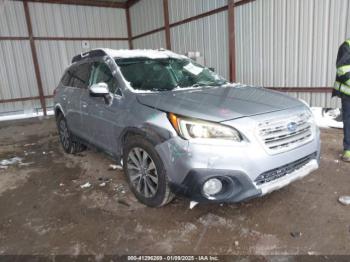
[178, 128]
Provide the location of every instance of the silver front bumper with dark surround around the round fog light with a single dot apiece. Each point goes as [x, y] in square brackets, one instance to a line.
[189, 164]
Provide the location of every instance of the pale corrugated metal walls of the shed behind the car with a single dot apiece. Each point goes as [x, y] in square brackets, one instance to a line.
[280, 43]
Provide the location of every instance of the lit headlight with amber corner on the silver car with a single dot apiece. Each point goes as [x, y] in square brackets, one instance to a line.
[197, 129]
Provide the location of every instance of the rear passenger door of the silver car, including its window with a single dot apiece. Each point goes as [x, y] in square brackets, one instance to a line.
[76, 110]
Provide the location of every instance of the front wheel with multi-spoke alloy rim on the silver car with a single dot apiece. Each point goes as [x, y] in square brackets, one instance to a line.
[148, 182]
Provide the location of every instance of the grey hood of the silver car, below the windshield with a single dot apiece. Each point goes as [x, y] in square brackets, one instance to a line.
[219, 103]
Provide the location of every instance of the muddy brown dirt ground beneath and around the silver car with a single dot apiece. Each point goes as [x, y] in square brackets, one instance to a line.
[44, 210]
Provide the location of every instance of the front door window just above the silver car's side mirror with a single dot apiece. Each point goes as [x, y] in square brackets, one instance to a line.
[102, 74]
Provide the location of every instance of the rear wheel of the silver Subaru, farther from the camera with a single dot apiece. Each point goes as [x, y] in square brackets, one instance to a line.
[68, 141]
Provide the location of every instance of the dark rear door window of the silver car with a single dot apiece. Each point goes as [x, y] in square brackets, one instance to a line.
[80, 75]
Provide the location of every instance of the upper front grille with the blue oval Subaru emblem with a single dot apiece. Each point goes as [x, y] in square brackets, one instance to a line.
[280, 135]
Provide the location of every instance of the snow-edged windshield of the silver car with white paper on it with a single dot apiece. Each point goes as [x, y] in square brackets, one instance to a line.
[166, 74]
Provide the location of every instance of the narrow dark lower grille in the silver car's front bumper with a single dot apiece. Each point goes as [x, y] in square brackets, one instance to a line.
[283, 170]
